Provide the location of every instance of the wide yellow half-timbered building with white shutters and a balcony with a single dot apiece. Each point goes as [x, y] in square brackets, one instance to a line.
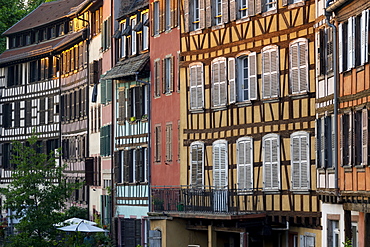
[247, 121]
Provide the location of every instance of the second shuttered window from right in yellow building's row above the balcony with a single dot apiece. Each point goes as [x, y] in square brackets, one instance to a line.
[271, 162]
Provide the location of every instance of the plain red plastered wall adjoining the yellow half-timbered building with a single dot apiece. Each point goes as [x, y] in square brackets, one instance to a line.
[165, 109]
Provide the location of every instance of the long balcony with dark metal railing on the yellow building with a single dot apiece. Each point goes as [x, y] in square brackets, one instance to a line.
[280, 205]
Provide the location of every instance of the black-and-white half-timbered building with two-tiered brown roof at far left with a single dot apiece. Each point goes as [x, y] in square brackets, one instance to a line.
[31, 71]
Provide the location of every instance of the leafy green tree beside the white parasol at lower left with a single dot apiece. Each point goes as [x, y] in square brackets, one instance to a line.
[36, 194]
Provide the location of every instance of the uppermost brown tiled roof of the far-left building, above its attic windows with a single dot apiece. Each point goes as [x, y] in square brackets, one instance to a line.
[46, 13]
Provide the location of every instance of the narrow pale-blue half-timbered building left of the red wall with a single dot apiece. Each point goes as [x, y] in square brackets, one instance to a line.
[127, 83]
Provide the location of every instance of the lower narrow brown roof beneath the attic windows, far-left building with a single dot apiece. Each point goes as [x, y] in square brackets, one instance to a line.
[28, 52]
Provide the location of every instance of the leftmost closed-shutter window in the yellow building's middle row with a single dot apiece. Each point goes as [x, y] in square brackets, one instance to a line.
[196, 86]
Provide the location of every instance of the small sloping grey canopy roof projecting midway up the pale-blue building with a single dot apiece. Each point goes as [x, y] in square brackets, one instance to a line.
[128, 67]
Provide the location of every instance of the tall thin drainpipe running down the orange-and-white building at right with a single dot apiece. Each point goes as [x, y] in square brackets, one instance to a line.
[335, 65]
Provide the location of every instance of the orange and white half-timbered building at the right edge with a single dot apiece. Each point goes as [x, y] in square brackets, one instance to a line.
[342, 102]
